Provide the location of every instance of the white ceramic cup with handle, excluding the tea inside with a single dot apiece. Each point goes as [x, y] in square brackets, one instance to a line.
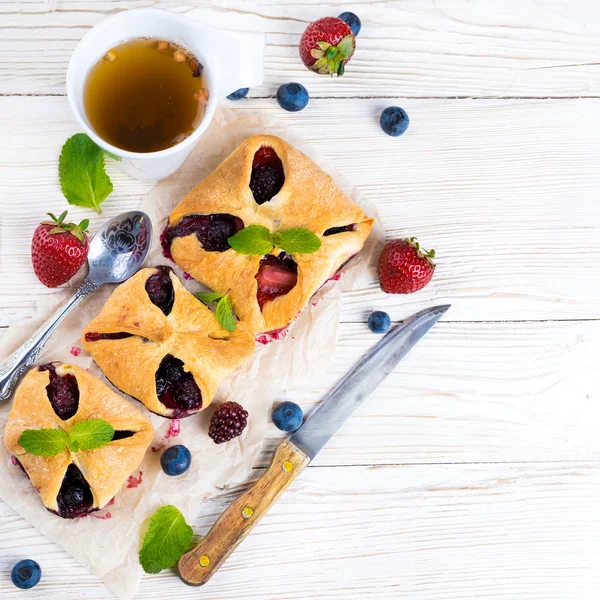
[231, 60]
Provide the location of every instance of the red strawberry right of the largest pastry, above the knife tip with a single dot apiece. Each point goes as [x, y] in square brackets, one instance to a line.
[404, 267]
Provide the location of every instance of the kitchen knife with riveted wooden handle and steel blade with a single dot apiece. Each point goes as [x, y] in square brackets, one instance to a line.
[292, 455]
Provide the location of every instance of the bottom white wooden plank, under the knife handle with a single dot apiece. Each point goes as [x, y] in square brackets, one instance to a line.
[387, 533]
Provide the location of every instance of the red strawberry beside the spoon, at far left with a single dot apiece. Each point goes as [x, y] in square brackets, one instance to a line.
[58, 249]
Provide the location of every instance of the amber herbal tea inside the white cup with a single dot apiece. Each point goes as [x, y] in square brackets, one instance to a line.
[145, 95]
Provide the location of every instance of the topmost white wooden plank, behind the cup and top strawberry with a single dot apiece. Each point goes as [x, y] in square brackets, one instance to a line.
[413, 48]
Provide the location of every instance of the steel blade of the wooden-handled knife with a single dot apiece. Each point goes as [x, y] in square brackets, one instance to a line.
[357, 385]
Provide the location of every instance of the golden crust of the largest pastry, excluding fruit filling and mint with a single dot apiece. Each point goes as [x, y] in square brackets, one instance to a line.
[309, 199]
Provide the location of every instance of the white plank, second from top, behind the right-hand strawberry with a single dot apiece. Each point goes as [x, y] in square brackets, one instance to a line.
[506, 191]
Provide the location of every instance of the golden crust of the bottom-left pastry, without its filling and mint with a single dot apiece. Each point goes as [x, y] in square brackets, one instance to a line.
[106, 468]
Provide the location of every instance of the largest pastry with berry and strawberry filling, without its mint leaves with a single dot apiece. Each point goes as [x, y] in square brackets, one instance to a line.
[265, 181]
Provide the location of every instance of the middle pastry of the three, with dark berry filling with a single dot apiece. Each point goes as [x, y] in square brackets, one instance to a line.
[157, 342]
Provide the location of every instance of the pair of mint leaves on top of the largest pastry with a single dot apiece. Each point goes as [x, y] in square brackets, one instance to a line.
[256, 239]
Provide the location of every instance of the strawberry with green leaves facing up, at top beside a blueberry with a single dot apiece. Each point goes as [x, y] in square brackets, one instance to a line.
[327, 45]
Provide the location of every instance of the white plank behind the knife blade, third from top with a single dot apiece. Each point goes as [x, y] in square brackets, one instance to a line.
[469, 392]
